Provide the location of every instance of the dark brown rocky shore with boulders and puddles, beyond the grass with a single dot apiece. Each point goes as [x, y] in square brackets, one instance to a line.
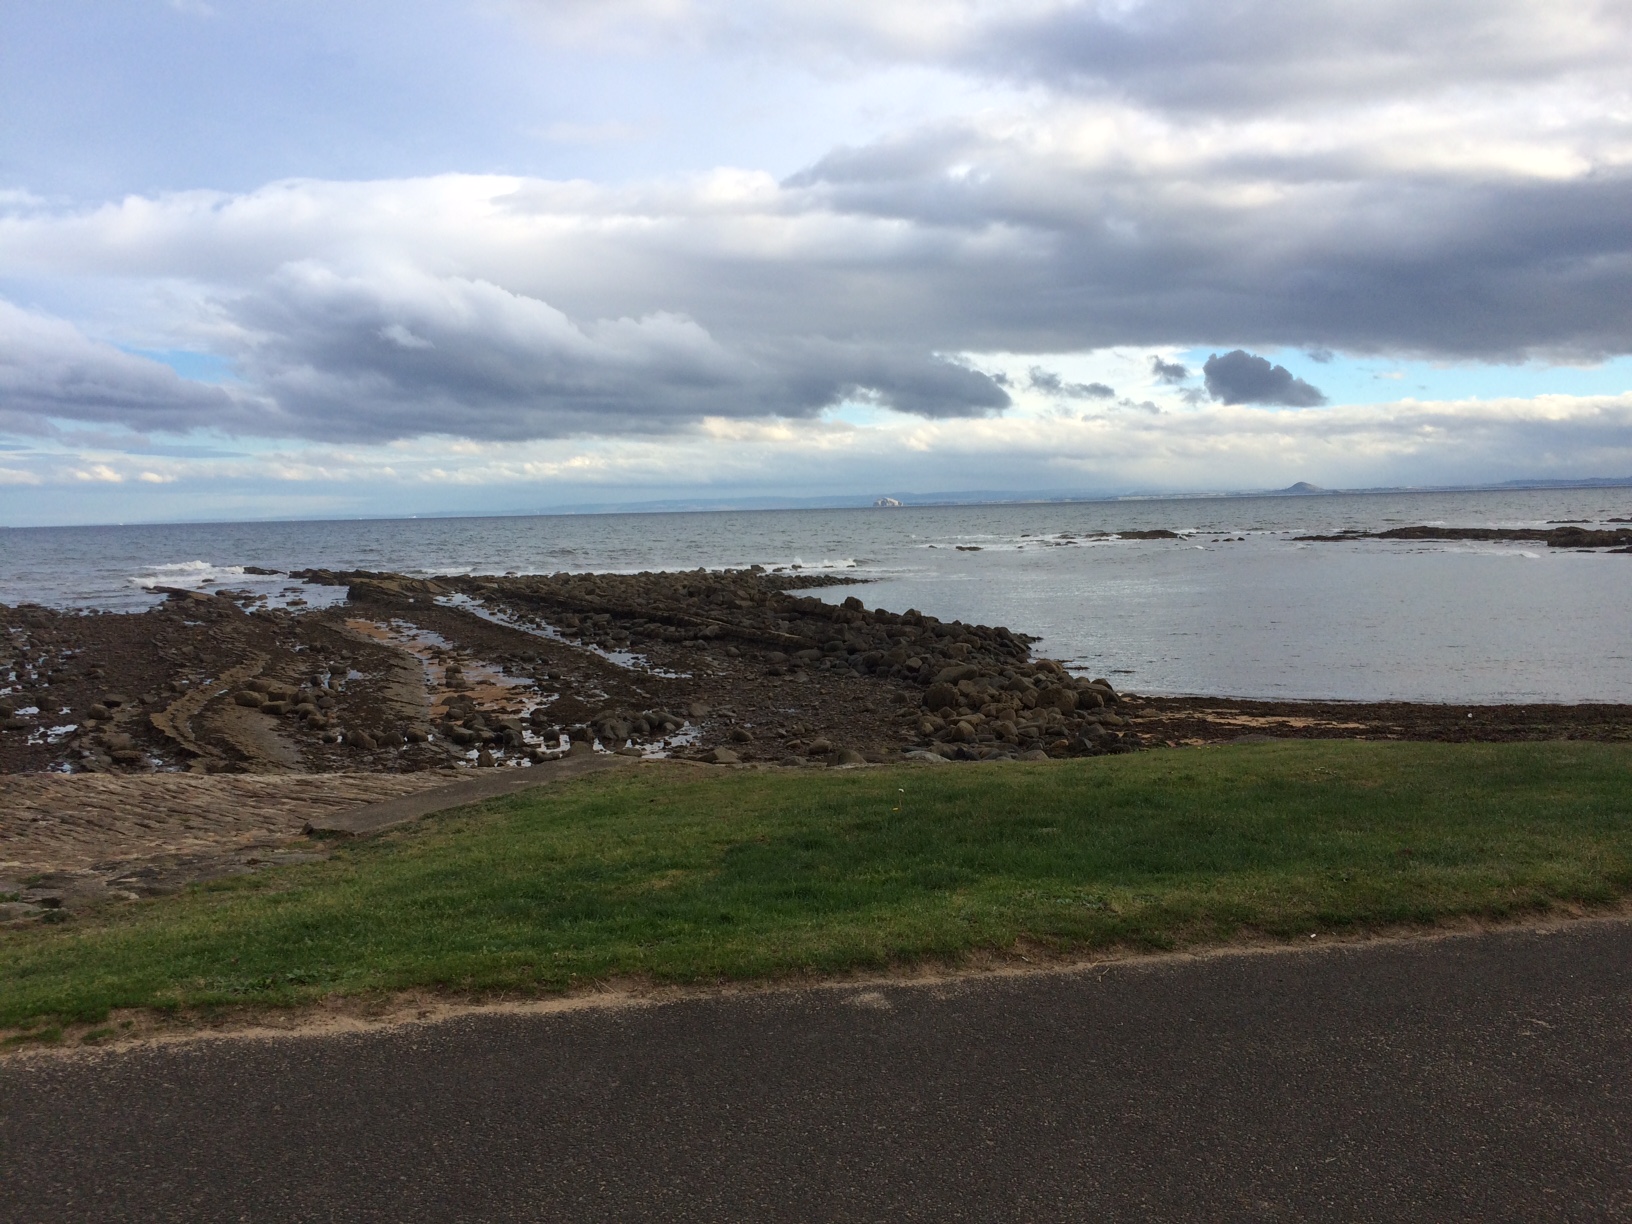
[409, 675]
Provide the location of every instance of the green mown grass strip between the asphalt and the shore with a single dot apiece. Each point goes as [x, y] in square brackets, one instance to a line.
[688, 876]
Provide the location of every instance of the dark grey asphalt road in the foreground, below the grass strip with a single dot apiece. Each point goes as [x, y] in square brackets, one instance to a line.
[1481, 1078]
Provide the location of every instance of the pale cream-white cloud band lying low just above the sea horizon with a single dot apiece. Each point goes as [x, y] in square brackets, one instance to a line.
[1215, 448]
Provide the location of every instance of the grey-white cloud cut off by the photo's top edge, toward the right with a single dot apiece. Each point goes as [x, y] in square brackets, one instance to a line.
[1248, 55]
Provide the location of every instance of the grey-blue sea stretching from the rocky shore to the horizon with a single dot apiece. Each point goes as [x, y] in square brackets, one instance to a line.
[1236, 608]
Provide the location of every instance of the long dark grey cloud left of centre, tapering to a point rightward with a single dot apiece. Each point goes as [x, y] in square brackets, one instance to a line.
[407, 355]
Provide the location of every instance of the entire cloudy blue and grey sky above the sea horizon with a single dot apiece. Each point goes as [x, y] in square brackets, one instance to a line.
[280, 259]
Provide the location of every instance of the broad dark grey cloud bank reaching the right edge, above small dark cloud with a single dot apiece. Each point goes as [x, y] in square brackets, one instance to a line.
[1430, 265]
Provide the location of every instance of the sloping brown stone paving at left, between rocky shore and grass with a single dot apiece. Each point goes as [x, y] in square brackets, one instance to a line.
[84, 822]
